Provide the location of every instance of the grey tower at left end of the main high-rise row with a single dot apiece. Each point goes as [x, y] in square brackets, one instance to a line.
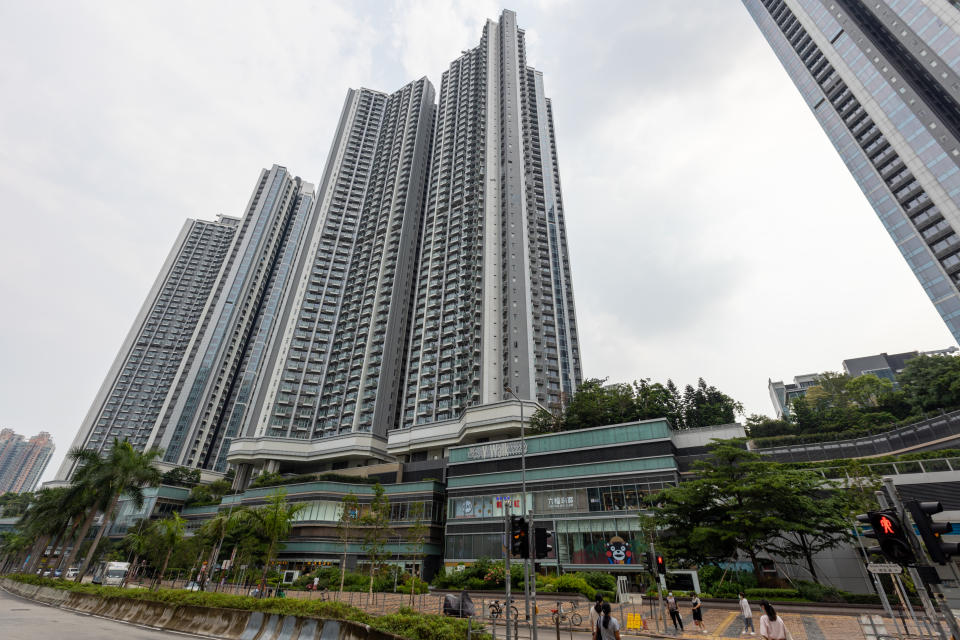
[128, 403]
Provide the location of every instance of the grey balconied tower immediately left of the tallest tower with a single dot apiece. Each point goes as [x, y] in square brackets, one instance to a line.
[338, 372]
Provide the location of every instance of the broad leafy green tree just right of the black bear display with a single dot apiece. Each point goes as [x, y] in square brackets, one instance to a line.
[727, 507]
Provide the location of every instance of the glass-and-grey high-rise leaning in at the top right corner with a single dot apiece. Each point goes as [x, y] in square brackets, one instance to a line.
[883, 79]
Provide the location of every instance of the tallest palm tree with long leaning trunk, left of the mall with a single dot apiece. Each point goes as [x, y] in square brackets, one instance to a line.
[125, 471]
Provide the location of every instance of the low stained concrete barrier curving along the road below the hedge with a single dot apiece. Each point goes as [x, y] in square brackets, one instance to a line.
[228, 624]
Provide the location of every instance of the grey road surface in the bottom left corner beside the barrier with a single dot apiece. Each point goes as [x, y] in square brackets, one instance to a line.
[26, 620]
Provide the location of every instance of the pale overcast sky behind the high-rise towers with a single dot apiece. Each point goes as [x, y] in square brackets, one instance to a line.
[713, 229]
